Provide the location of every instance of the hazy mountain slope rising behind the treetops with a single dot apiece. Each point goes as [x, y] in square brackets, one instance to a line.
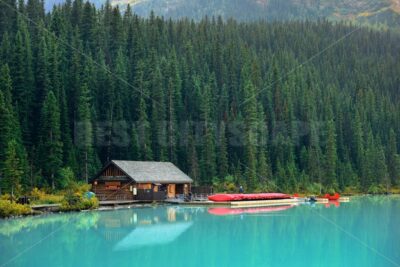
[380, 12]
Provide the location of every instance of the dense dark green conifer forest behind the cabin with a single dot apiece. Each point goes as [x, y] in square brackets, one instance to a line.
[274, 106]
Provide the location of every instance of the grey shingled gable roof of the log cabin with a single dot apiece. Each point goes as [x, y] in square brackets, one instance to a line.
[150, 171]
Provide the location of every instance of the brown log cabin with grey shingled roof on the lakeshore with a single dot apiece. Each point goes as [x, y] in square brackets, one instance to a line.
[140, 180]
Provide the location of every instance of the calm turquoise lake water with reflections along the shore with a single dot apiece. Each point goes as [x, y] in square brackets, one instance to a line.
[364, 232]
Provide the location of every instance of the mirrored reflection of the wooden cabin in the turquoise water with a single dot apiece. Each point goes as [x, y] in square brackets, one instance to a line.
[136, 228]
